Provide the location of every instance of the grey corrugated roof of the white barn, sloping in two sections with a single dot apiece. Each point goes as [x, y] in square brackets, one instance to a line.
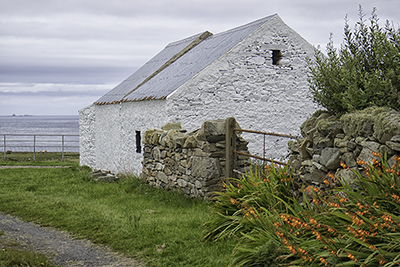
[184, 68]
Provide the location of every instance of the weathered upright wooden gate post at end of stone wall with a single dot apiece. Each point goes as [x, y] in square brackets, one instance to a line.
[230, 145]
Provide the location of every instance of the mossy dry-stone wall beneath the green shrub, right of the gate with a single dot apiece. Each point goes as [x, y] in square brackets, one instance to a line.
[327, 142]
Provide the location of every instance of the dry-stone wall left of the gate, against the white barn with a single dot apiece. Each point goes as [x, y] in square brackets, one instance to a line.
[193, 162]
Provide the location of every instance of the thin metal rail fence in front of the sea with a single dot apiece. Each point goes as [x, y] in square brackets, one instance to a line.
[38, 144]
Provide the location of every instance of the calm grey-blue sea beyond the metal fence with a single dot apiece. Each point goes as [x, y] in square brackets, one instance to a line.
[39, 133]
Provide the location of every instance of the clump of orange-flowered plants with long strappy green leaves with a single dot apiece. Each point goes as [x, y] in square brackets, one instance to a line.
[356, 224]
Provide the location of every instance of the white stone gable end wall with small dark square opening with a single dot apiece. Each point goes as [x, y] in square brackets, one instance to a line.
[244, 84]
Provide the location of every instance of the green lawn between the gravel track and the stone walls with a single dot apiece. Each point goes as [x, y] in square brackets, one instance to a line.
[157, 227]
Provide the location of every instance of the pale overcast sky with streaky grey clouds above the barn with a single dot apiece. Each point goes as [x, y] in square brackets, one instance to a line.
[58, 56]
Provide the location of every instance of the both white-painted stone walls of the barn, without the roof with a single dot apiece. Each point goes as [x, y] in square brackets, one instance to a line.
[242, 83]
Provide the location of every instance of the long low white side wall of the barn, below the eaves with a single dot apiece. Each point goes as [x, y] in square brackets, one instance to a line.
[109, 141]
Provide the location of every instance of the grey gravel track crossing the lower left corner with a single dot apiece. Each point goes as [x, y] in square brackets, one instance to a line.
[60, 247]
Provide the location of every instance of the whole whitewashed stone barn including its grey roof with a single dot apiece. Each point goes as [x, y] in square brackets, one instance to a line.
[256, 73]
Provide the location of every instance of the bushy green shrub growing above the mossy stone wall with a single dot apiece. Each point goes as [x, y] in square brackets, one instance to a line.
[364, 72]
